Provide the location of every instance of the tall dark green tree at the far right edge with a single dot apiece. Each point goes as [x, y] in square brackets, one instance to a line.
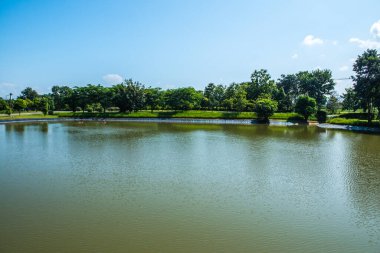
[367, 79]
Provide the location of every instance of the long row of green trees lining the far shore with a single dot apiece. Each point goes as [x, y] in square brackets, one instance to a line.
[304, 92]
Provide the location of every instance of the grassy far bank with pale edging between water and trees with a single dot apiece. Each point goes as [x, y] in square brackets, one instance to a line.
[193, 117]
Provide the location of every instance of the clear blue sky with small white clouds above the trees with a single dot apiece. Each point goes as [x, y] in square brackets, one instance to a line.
[178, 43]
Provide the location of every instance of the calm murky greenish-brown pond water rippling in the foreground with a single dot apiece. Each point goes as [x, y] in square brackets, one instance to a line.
[151, 187]
